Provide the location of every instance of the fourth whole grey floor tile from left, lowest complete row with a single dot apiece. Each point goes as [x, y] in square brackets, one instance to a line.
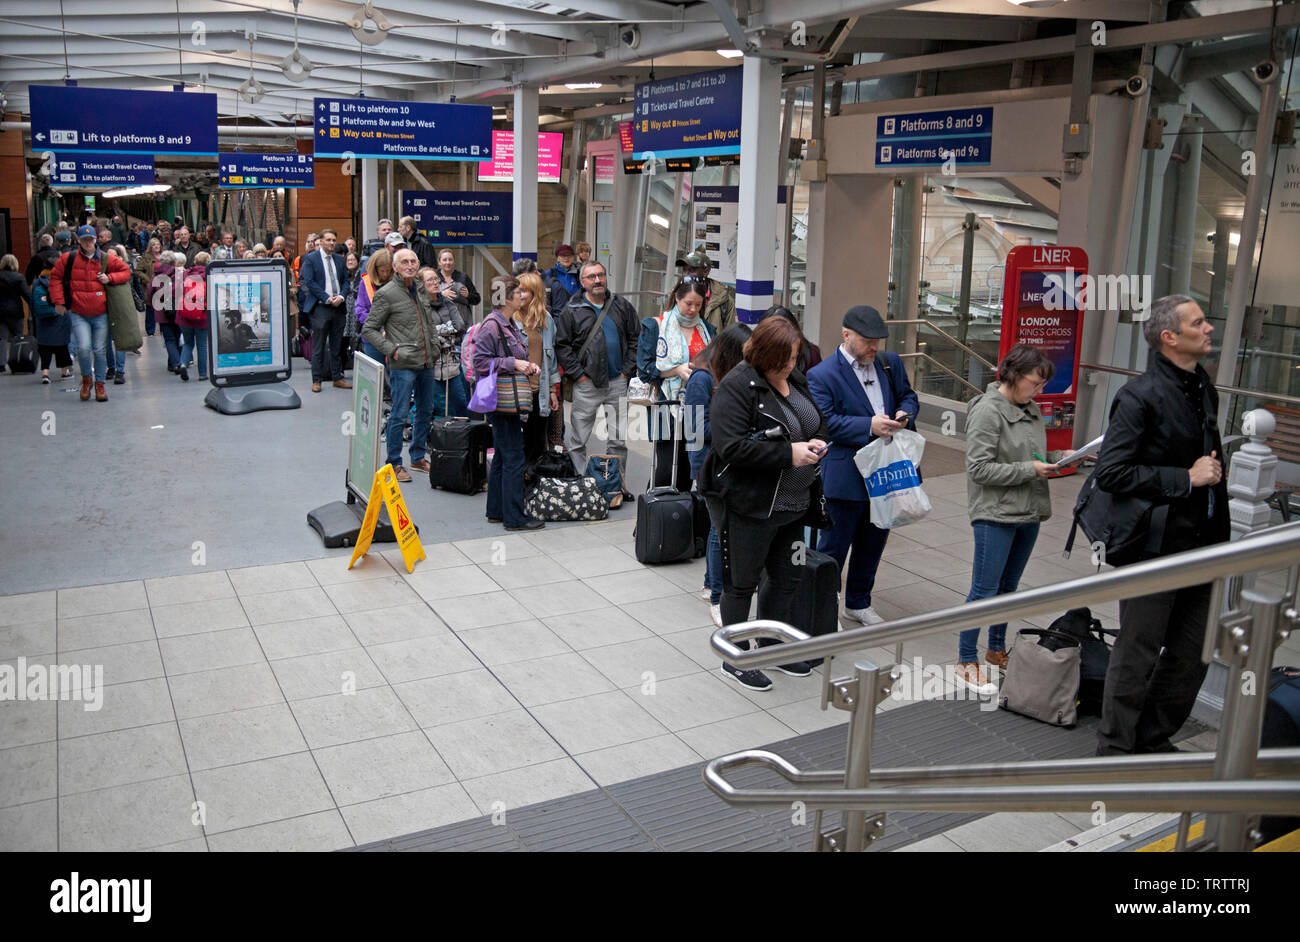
[493, 744]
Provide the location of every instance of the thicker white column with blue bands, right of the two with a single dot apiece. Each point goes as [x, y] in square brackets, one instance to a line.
[760, 140]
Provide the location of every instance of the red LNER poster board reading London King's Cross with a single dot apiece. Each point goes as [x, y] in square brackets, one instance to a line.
[1043, 306]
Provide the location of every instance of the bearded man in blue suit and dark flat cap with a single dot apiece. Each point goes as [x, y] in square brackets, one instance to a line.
[864, 393]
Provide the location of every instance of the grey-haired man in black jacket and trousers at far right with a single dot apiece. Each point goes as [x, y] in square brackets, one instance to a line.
[1163, 445]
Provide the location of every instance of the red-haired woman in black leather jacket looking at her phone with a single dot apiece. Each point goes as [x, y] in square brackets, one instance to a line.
[761, 480]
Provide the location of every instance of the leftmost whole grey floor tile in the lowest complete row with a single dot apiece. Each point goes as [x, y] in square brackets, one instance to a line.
[128, 818]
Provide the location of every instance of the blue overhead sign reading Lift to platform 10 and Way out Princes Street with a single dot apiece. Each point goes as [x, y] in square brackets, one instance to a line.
[371, 128]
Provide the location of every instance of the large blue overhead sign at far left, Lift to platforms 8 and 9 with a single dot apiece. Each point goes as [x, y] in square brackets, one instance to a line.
[71, 119]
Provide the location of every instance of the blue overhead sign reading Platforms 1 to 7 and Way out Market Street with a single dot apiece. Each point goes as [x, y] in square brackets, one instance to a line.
[688, 116]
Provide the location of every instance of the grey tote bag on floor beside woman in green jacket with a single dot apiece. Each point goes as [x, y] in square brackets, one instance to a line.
[1043, 679]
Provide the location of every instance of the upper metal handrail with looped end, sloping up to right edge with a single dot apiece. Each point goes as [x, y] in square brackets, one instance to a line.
[1275, 549]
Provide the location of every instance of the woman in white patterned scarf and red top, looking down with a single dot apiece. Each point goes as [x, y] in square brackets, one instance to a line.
[682, 336]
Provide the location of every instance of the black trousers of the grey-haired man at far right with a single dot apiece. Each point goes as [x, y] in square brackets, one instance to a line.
[1151, 692]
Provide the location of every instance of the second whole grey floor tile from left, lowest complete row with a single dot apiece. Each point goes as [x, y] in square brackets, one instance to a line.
[239, 797]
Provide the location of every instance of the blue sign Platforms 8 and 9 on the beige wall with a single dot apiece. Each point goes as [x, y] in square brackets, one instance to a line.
[964, 136]
